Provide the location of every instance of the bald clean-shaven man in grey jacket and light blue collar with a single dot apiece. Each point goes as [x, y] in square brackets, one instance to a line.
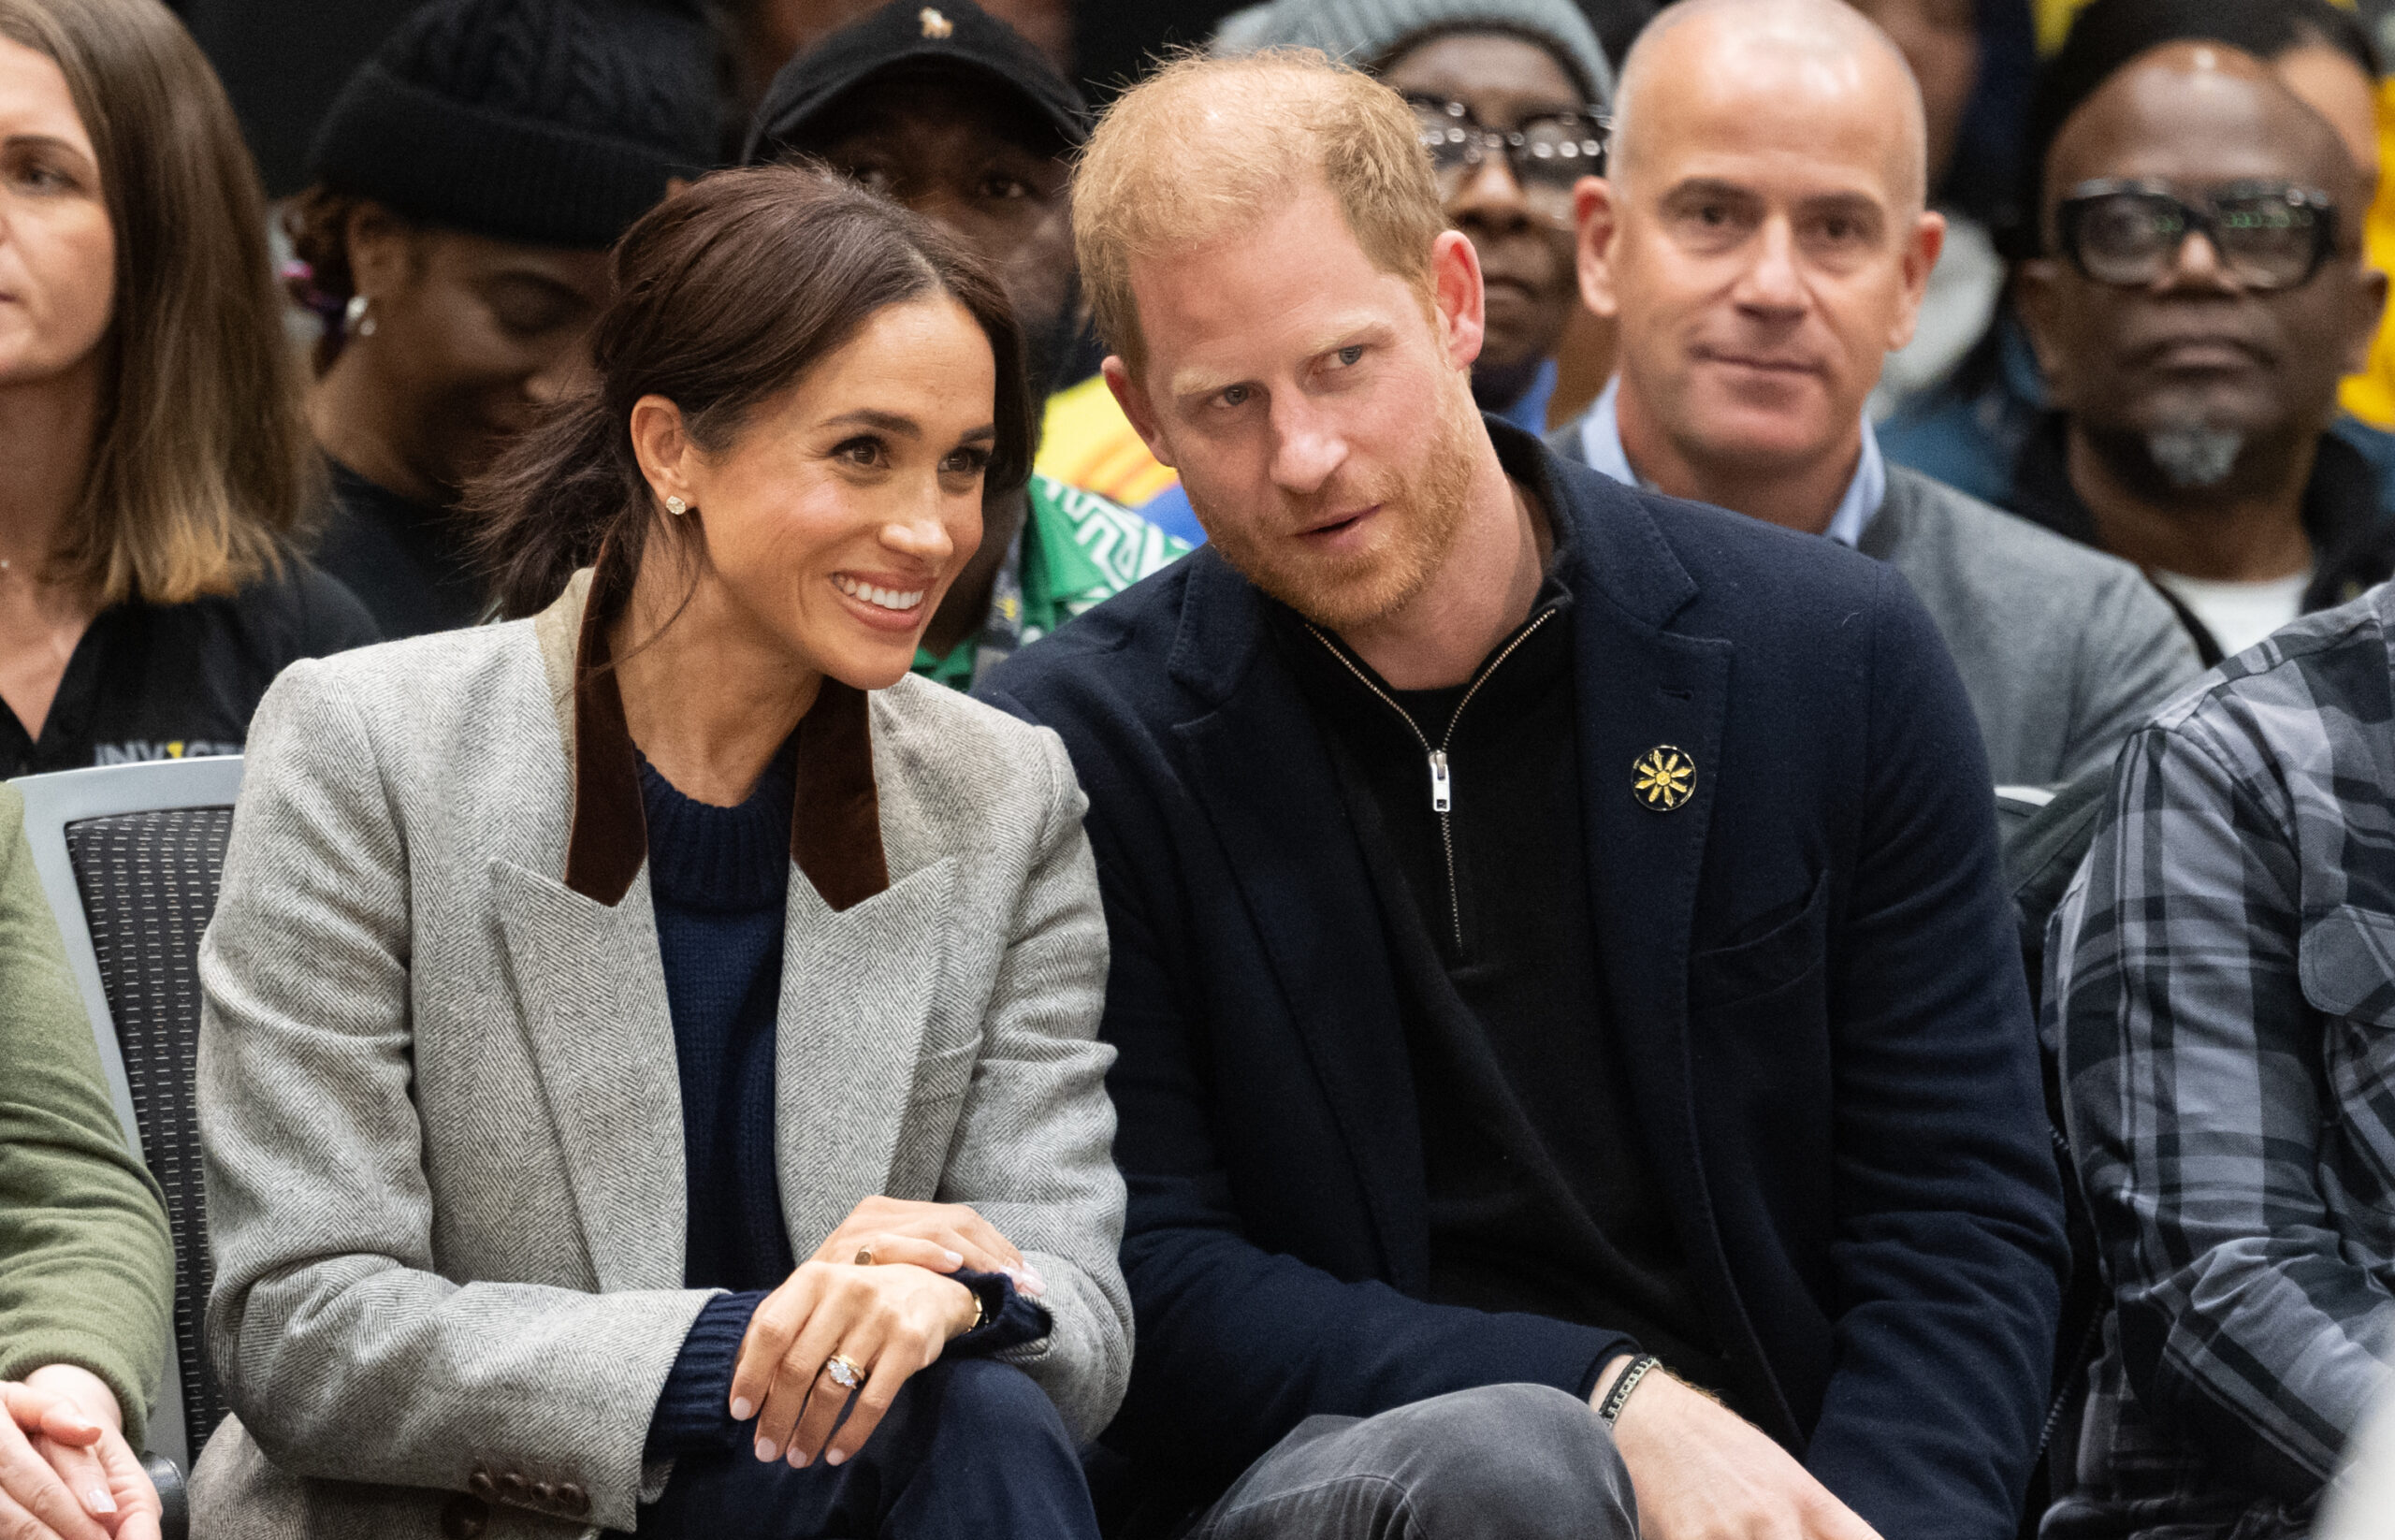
[1764, 245]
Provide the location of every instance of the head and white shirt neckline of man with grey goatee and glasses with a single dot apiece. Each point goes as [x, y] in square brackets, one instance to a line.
[2195, 310]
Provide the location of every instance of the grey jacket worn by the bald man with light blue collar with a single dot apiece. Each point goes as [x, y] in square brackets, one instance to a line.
[2063, 650]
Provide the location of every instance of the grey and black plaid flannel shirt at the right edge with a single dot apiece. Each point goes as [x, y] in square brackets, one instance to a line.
[2224, 1000]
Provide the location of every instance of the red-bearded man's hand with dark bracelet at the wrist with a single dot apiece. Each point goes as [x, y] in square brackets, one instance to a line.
[1702, 1472]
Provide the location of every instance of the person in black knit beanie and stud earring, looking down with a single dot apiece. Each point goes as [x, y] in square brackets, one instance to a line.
[454, 241]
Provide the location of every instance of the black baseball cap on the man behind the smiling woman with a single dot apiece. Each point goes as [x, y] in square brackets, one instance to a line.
[950, 37]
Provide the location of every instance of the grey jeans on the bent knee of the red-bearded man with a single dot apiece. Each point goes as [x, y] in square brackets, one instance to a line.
[1505, 1462]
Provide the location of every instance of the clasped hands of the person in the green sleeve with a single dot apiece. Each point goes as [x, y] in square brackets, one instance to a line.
[66, 1469]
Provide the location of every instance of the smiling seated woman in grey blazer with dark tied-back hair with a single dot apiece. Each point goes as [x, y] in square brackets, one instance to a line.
[660, 1036]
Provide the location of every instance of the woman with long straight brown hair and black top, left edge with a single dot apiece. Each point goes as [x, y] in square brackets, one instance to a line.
[157, 466]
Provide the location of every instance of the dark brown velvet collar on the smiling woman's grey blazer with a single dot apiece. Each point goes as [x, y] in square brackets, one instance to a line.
[835, 813]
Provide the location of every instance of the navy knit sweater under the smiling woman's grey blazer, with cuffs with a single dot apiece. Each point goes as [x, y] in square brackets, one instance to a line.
[720, 883]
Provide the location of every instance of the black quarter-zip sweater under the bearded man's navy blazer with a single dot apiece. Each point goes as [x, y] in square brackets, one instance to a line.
[1541, 1194]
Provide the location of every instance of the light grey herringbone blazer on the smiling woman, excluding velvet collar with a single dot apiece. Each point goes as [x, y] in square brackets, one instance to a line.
[442, 1112]
